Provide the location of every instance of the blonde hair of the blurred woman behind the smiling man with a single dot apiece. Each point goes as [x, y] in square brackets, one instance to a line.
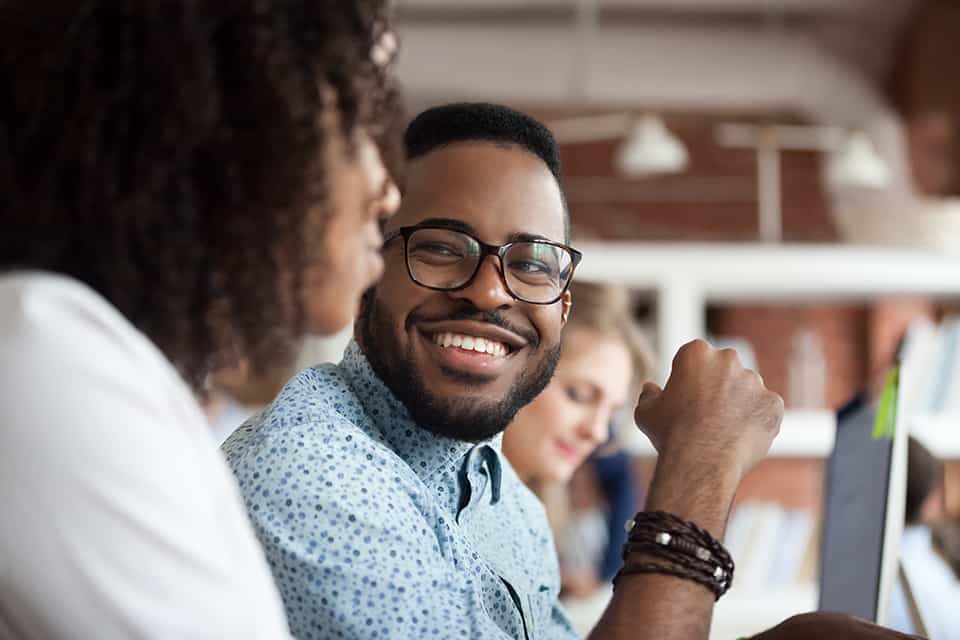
[605, 309]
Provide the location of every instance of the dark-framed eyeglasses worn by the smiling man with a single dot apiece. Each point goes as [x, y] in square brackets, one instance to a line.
[444, 259]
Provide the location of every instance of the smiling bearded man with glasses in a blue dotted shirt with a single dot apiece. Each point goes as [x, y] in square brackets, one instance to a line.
[377, 486]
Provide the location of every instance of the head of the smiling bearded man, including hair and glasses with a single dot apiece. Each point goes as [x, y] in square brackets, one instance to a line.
[460, 345]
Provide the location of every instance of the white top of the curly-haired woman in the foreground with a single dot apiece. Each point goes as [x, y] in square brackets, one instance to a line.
[118, 516]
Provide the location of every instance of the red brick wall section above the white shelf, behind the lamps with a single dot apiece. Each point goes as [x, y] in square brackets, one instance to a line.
[715, 199]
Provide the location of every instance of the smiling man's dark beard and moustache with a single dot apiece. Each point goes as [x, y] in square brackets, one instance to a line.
[468, 419]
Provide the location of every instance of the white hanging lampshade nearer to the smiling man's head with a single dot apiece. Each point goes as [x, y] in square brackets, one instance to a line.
[649, 148]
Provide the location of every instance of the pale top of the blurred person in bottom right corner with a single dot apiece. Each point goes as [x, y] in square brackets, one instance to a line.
[934, 585]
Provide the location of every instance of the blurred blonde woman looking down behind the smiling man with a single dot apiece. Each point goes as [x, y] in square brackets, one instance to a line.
[604, 358]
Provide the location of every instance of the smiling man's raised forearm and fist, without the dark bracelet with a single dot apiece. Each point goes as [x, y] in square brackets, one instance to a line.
[711, 423]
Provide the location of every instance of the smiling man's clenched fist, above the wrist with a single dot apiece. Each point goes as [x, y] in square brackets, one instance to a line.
[712, 413]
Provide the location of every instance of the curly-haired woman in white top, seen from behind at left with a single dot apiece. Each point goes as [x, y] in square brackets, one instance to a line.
[185, 185]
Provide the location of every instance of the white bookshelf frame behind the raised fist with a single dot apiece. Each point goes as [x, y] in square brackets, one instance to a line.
[684, 278]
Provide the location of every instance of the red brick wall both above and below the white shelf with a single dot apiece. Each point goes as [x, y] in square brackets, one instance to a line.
[715, 200]
